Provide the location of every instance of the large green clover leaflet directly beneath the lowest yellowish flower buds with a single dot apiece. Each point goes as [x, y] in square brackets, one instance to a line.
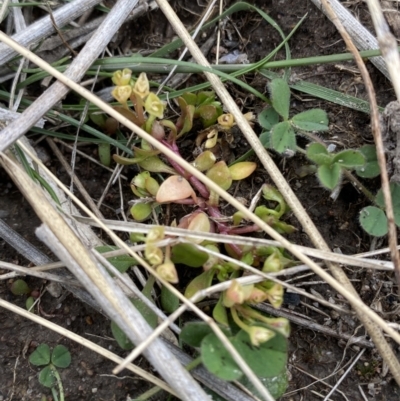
[267, 360]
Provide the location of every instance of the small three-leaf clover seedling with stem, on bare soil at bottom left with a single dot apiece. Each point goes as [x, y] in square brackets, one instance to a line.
[49, 376]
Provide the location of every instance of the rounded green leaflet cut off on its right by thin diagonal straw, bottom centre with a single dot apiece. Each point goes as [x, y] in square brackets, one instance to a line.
[217, 359]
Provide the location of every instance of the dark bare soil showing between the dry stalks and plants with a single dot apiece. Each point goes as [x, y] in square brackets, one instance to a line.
[312, 354]
